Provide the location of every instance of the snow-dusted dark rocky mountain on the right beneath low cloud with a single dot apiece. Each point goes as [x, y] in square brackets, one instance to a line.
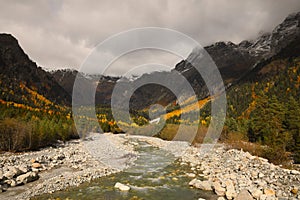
[237, 60]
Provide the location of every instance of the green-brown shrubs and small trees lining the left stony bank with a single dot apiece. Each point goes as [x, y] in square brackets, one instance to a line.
[20, 135]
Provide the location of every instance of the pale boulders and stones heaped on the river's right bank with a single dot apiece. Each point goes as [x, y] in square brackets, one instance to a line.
[234, 174]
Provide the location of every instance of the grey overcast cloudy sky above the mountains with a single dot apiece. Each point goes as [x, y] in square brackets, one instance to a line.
[61, 34]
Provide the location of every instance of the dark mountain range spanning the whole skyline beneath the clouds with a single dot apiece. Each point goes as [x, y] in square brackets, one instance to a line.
[235, 62]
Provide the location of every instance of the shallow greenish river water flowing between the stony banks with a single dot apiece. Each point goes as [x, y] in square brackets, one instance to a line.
[155, 175]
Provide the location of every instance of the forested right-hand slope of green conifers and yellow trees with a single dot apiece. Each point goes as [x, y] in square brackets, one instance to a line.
[264, 105]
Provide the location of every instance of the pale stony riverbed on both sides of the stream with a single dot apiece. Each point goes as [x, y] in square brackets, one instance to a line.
[231, 174]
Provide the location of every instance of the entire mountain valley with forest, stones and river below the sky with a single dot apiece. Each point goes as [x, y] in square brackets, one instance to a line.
[48, 152]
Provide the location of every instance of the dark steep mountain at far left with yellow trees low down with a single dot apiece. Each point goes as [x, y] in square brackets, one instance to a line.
[22, 81]
